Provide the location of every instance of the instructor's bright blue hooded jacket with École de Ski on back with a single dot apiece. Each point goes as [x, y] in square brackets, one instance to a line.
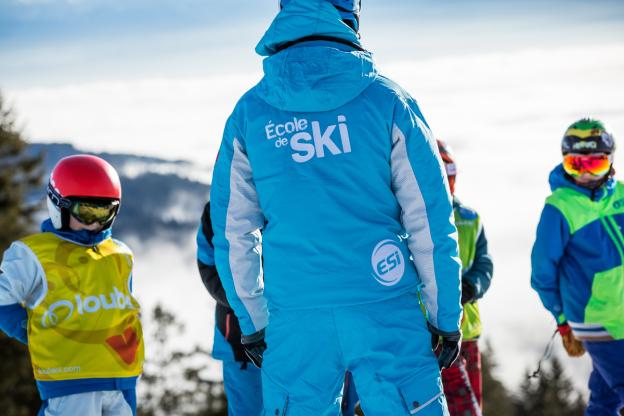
[338, 168]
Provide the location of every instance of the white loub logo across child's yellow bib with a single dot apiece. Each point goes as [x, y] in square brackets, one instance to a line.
[62, 310]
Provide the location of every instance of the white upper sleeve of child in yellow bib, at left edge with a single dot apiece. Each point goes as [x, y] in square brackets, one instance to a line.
[22, 279]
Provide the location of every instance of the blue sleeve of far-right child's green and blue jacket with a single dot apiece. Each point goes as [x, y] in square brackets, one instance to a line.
[553, 234]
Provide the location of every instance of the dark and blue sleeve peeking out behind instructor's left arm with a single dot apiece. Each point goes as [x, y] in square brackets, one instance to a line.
[205, 259]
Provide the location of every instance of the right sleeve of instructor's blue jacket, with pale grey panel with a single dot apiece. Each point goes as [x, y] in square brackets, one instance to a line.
[421, 188]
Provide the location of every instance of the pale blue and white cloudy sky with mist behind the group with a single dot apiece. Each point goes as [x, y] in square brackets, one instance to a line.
[499, 81]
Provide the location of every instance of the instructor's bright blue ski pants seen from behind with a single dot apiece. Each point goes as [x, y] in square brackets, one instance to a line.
[384, 344]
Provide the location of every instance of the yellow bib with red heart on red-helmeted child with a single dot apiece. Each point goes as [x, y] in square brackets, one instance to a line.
[87, 325]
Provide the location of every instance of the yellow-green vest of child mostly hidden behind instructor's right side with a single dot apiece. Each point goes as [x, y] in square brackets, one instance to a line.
[468, 232]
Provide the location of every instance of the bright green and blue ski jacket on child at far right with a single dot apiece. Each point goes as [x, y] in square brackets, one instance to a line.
[578, 257]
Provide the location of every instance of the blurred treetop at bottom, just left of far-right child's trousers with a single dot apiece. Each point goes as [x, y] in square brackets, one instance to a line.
[551, 395]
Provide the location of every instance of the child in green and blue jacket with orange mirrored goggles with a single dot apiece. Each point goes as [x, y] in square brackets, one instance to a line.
[578, 259]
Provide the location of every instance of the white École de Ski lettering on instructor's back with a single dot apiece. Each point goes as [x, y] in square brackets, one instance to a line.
[305, 144]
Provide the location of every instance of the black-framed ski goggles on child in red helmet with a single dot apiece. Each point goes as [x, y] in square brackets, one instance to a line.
[87, 211]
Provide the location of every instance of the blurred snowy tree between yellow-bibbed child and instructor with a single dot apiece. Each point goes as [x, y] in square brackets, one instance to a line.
[172, 382]
